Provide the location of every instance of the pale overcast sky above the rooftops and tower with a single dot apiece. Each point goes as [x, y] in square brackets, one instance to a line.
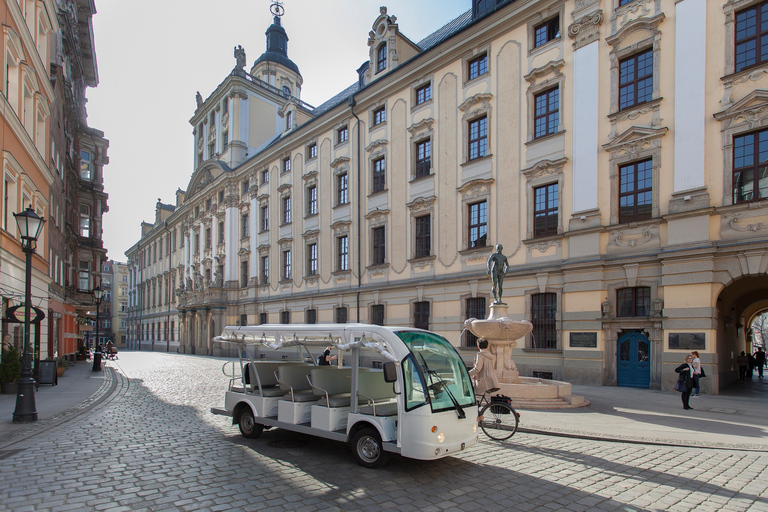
[153, 55]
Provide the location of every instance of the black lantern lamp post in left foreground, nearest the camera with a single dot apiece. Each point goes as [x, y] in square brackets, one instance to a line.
[30, 226]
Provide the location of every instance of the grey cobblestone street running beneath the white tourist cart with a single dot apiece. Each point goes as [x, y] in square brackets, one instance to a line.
[152, 444]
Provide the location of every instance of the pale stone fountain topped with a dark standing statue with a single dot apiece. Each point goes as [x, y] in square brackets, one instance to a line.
[502, 334]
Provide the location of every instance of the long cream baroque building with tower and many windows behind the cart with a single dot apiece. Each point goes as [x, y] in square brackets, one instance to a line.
[613, 147]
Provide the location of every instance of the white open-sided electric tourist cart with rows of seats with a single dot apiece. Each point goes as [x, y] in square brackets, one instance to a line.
[390, 389]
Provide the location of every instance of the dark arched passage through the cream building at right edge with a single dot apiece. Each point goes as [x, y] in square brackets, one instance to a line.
[738, 305]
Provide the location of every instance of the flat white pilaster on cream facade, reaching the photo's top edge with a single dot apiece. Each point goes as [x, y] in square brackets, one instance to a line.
[690, 105]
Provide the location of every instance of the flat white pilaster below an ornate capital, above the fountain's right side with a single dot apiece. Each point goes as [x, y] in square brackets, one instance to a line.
[585, 106]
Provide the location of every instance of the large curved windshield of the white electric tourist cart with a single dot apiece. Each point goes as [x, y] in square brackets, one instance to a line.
[434, 373]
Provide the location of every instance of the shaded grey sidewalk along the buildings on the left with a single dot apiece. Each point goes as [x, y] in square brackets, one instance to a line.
[78, 384]
